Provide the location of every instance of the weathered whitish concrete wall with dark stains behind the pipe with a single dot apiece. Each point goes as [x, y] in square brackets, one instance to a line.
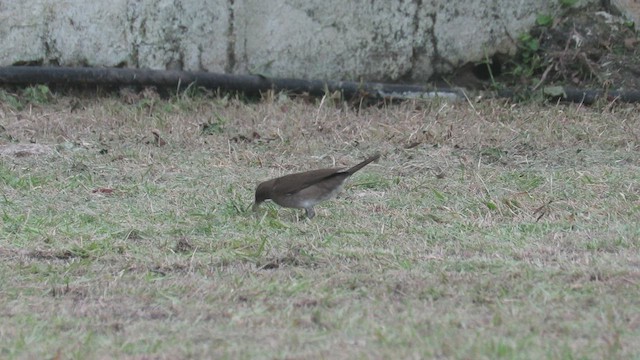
[373, 40]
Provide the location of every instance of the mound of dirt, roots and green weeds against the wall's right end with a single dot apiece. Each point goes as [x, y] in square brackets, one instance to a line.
[585, 48]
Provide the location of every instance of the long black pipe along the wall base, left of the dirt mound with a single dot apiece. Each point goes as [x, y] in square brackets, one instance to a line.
[248, 84]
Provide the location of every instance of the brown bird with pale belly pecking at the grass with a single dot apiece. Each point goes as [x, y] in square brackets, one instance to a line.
[304, 190]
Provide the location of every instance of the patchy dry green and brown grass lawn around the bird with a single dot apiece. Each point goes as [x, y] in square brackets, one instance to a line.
[491, 230]
